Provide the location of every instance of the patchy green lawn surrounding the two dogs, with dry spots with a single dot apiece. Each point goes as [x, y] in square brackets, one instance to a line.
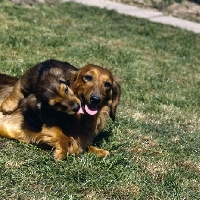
[155, 141]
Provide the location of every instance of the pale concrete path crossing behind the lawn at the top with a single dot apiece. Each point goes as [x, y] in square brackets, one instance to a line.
[153, 16]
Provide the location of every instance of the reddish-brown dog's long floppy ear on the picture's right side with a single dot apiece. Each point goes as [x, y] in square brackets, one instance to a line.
[115, 96]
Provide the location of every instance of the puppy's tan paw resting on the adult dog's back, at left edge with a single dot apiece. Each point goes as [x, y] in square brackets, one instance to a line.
[8, 106]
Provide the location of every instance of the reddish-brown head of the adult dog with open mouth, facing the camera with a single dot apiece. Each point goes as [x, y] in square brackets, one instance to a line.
[96, 87]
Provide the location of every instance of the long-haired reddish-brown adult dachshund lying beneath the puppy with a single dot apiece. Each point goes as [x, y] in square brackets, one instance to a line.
[99, 93]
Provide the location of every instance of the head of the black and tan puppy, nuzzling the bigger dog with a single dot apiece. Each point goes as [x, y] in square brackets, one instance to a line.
[58, 95]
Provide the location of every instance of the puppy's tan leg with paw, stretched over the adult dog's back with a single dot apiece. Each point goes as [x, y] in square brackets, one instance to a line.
[10, 104]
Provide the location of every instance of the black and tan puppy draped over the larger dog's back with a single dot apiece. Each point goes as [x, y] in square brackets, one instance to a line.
[49, 82]
